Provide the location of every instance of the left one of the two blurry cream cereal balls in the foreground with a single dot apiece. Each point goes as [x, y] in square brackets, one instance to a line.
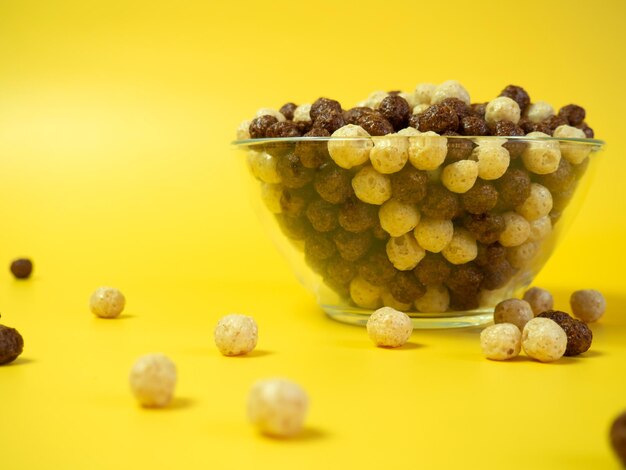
[153, 379]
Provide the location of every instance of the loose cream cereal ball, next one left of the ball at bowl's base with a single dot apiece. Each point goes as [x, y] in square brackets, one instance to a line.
[236, 334]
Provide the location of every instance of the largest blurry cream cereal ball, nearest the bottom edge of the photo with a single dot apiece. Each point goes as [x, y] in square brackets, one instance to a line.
[277, 407]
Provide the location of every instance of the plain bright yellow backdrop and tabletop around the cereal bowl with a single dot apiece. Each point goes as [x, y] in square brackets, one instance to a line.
[115, 169]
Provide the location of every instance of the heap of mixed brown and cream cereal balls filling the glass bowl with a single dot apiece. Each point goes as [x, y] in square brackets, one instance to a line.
[399, 209]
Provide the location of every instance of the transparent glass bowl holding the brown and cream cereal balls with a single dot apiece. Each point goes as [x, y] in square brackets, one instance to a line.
[339, 251]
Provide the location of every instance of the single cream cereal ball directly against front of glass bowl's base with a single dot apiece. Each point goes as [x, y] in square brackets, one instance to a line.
[389, 328]
